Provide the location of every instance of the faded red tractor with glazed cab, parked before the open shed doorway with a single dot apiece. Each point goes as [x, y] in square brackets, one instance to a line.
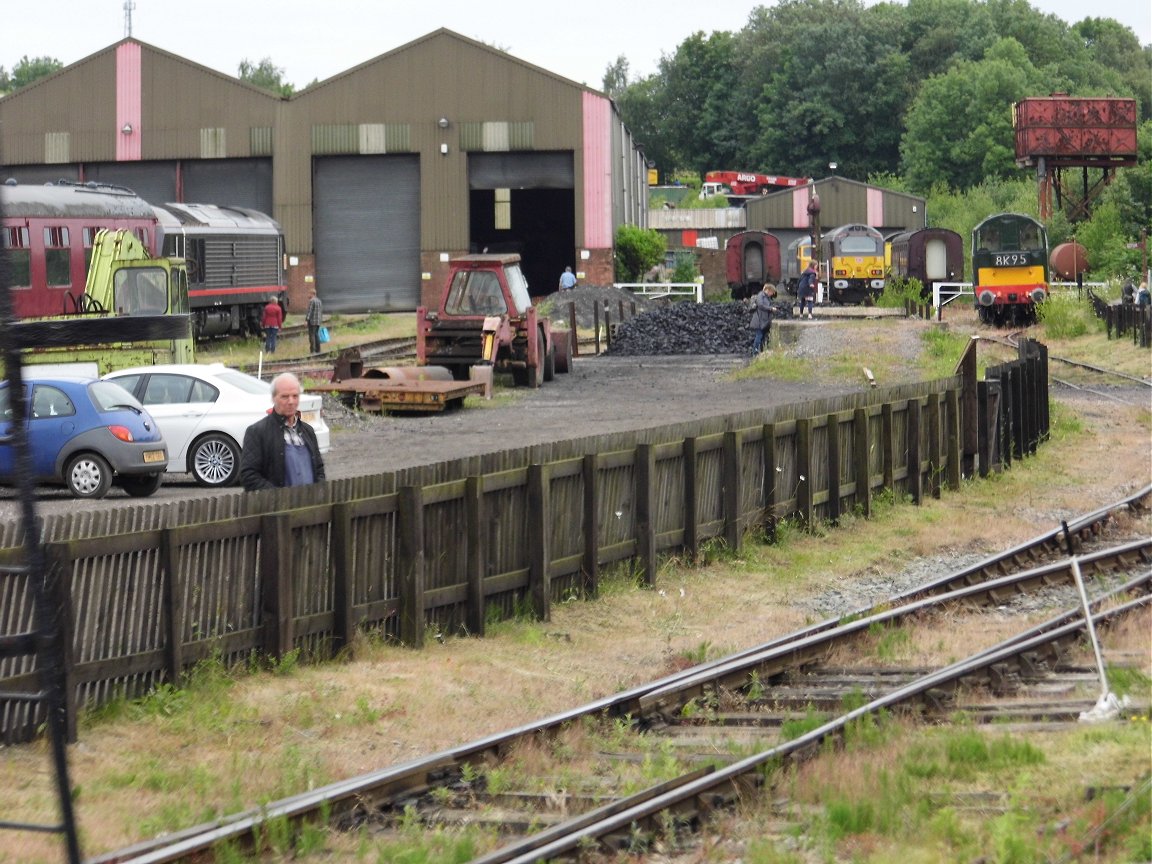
[486, 319]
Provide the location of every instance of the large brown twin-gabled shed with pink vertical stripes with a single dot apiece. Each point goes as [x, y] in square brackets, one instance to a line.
[378, 176]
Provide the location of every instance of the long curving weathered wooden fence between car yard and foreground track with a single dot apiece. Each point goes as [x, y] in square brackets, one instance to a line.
[147, 593]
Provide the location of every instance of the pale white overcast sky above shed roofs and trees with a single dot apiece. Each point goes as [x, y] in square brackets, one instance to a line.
[313, 40]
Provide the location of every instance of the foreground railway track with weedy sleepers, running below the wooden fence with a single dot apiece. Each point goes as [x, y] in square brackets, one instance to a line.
[664, 756]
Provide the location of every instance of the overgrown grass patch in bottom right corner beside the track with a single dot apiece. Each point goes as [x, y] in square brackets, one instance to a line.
[948, 795]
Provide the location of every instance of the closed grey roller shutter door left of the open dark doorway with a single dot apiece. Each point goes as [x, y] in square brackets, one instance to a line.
[367, 232]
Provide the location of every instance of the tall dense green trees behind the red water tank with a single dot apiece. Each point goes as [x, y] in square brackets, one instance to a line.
[922, 93]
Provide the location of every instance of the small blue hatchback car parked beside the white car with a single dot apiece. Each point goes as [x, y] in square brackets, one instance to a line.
[87, 435]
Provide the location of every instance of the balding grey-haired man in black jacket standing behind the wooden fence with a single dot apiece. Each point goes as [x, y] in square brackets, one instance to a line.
[281, 450]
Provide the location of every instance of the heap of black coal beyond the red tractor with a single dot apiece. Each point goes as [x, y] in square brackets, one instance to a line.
[689, 329]
